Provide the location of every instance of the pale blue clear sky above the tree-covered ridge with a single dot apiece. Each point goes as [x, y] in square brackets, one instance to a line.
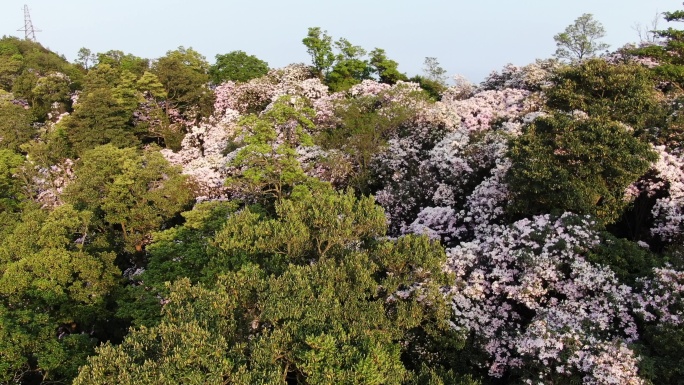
[471, 38]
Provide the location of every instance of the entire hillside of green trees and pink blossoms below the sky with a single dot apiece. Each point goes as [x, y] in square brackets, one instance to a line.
[170, 221]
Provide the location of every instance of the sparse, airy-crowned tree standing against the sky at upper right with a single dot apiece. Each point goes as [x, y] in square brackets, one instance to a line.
[580, 40]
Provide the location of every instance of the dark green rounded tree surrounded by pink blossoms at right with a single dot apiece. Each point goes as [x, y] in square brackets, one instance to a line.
[562, 163]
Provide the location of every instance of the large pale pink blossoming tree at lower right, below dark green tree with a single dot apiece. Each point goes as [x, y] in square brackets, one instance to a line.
[539, 308]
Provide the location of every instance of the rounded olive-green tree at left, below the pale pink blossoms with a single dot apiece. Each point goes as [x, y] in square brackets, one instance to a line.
[131, 194]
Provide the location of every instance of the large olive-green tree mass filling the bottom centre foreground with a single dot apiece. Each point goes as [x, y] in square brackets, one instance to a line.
[337, 314]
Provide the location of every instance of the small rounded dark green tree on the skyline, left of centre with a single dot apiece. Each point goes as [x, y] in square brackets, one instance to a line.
[237, 66]
